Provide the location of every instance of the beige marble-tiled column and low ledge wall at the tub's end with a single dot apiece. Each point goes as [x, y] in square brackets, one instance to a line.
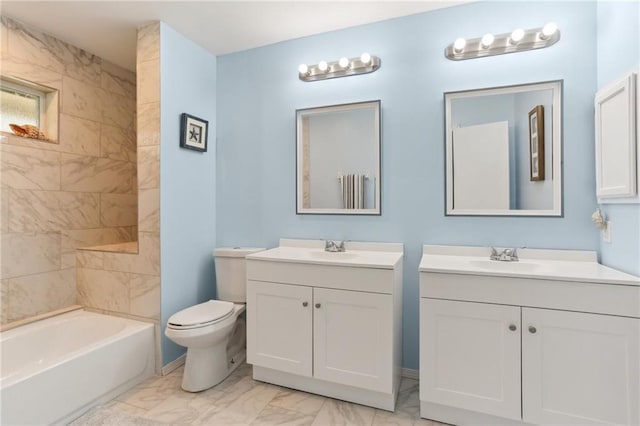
[128, 283]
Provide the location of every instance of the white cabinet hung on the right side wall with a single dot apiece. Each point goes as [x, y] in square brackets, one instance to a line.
[617, 153]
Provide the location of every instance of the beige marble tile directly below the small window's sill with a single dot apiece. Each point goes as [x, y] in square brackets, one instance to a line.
[29, 168]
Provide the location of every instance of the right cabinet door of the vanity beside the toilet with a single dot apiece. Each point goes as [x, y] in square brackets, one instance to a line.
[353, 340]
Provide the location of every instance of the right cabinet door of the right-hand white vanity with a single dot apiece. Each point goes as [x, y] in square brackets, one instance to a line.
[580, 369]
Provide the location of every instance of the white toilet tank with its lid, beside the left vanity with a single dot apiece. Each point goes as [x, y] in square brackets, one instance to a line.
[231, 272]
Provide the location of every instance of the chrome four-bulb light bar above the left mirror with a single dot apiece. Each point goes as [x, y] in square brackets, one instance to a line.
[343, 67]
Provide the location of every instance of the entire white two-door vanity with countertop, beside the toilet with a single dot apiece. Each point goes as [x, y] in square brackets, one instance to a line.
[327, 322]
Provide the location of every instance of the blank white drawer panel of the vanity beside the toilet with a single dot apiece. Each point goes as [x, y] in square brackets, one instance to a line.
[372, 280]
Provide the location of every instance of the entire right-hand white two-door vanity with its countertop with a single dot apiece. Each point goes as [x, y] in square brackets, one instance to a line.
[553, 338]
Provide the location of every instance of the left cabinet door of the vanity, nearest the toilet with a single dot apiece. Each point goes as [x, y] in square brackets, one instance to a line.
[279, 326]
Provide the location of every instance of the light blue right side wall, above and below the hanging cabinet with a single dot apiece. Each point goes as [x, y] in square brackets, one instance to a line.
[618, 54]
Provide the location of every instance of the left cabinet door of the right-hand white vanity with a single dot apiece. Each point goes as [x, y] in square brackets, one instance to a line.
[470, 356]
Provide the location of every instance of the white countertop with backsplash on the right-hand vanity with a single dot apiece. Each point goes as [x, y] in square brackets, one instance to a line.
[557, 265]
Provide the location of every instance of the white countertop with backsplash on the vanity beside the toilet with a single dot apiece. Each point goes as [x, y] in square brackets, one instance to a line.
[363, 255]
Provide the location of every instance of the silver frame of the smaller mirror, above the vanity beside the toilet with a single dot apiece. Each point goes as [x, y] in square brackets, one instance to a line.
[377, 196]
